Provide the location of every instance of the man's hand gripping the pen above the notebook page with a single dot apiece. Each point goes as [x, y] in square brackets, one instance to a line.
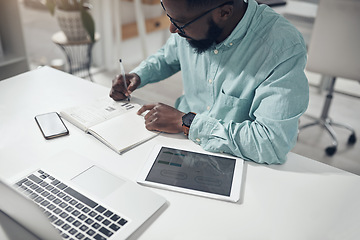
[118, 90]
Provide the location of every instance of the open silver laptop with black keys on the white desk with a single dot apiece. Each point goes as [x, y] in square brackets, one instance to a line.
[69, 197]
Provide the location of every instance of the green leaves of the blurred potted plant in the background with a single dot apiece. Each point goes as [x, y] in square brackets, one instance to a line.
[75, 5]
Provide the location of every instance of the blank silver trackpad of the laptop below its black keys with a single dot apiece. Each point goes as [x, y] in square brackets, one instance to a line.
[98, 181]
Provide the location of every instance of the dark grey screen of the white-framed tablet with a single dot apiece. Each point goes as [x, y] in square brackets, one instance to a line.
[191, 170]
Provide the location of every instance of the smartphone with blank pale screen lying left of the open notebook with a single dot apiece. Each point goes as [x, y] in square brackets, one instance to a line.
[51, 125]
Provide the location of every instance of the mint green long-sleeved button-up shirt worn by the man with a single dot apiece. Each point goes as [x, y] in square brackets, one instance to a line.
[248, 91]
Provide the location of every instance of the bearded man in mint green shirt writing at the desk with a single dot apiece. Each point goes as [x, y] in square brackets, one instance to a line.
[243, 77]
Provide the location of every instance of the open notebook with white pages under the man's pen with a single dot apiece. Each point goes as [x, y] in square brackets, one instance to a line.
[116, 124]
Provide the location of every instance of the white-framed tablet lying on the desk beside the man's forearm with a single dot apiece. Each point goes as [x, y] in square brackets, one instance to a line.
[198, 173]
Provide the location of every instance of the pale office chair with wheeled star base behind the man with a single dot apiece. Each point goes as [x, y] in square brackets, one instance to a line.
[334, 51]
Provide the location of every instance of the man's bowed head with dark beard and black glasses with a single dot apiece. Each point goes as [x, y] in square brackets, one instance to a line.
[201, 22]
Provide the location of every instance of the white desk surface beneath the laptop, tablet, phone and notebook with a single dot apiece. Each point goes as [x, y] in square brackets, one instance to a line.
[302, 199]
